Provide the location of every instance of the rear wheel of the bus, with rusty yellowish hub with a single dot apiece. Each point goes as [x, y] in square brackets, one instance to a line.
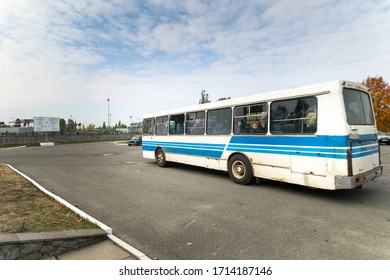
[240, 170]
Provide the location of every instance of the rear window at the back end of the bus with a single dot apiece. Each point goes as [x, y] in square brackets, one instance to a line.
[358, 107]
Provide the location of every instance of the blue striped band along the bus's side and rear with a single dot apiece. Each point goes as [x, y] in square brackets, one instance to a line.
[313, 146]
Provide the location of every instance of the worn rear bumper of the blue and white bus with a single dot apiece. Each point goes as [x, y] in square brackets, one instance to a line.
[356, 181]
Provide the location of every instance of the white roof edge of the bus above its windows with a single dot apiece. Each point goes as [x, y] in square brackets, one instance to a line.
[314, 89]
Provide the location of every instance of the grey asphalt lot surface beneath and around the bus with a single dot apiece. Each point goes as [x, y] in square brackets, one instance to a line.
[184, 212]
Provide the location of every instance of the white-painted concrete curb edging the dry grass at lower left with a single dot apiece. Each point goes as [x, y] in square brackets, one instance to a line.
[104, 227]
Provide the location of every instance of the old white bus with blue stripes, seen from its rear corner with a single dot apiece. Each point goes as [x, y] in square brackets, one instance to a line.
[320, 136]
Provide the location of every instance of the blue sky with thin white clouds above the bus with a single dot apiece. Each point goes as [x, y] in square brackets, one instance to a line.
[65, 58]
